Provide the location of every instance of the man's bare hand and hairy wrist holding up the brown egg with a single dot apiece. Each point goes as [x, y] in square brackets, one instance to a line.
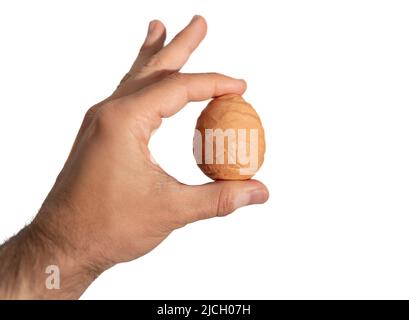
[111, 203]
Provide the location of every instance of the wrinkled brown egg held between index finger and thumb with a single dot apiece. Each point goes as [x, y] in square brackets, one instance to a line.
[229, 139]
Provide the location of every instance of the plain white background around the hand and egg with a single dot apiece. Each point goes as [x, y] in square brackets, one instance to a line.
[330, 81]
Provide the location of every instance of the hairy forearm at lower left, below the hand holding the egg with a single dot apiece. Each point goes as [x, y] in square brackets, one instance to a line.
[36, 265]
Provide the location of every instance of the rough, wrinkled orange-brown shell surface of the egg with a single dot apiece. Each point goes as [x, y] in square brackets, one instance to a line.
[230, 112]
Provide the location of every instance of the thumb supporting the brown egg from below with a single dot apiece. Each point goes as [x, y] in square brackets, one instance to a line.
[217, 199]
